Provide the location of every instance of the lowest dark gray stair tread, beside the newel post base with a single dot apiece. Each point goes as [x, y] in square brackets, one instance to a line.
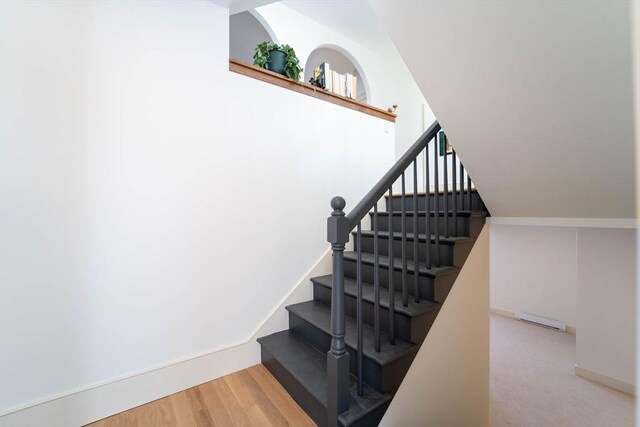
[309, 367]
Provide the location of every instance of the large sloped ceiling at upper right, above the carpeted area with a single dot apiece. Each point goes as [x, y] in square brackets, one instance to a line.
[535, 96]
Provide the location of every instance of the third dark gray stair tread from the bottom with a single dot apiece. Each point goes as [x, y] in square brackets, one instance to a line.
[351, 288]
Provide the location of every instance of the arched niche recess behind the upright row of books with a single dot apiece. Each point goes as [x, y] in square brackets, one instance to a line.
[342, 62]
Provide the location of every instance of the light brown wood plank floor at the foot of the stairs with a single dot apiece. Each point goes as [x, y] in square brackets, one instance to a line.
[252, 397]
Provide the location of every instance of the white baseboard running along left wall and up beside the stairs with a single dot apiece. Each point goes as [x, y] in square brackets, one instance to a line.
[94, 402]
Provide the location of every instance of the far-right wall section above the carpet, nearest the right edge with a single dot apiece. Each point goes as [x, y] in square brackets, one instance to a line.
[605, 343]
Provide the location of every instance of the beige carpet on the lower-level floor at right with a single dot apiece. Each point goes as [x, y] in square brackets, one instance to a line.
[533, 384]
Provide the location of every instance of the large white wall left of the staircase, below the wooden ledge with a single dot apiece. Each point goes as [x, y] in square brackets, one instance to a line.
[154, 206]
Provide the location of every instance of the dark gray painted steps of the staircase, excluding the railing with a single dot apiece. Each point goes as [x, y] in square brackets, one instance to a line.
[297, 357]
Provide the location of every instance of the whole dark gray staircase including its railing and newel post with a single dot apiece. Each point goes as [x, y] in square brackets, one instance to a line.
[347, 351]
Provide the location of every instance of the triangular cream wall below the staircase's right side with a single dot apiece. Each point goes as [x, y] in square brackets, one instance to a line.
[448, 382]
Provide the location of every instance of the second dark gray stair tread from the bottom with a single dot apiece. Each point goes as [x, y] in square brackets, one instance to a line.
[319, 315]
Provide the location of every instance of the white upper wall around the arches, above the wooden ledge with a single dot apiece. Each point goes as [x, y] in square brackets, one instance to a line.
[389, 82]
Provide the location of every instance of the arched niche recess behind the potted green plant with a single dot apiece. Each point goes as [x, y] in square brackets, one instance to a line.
[247, 30]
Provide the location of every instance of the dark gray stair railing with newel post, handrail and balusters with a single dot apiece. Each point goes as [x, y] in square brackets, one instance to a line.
[339, 226]
